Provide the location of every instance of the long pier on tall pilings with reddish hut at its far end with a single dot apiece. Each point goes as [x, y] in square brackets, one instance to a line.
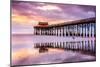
[82, 28]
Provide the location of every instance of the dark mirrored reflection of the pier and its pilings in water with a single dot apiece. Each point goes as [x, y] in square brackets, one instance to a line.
[87, 46]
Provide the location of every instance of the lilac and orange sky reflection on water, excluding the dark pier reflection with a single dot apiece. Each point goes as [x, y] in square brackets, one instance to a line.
[24, 53]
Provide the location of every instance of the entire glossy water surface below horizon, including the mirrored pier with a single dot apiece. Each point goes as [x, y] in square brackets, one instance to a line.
[29, 49]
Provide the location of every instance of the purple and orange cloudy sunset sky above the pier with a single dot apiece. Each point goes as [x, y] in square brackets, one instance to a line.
[25, 15]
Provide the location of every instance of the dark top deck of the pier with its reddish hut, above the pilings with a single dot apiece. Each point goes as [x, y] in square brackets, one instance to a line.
[45, 24]
